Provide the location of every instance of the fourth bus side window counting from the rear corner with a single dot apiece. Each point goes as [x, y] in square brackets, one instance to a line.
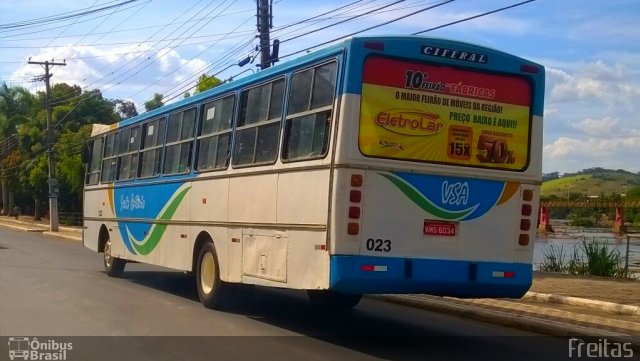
[180, 126]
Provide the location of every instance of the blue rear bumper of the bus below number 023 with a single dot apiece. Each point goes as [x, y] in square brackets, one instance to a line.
[466, 279]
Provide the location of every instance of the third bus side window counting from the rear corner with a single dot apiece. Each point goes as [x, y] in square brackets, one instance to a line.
[214, 134]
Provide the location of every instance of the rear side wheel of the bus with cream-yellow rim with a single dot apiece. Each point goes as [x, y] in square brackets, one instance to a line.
[213, 292]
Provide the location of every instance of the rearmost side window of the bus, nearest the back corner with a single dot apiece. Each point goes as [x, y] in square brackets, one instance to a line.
[309, 111]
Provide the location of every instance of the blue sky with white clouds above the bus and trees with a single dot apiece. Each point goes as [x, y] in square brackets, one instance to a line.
[131, 49]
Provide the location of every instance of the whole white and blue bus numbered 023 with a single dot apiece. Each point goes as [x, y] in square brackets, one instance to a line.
[395, 164]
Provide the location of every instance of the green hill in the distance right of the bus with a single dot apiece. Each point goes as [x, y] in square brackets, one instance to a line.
[589, 182]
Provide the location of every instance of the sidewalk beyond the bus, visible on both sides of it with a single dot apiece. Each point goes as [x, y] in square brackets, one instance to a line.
[556, 304]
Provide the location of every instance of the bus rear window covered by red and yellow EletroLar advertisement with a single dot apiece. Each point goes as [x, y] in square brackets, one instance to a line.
[437, 114]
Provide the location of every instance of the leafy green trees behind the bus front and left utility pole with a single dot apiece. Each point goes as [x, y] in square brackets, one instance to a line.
[23, 142]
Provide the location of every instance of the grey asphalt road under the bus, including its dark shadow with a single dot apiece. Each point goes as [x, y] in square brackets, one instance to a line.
[53, 288]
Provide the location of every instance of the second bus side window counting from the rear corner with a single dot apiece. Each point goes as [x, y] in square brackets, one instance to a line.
[258, 130]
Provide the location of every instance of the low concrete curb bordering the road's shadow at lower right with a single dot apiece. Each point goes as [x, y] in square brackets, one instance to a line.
[543, 326]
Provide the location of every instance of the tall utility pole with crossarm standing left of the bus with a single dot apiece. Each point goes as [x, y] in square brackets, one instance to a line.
[53, 182]
